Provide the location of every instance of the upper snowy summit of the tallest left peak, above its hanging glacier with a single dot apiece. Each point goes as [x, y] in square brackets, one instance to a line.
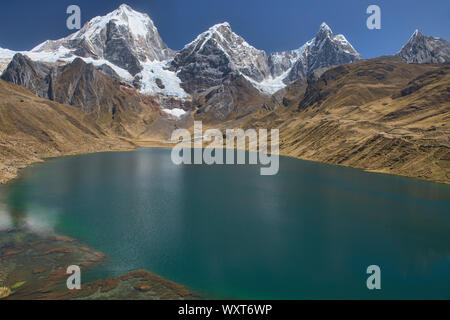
[123, 37]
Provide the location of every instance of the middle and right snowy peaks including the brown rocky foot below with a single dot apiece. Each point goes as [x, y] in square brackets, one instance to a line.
[219, 66]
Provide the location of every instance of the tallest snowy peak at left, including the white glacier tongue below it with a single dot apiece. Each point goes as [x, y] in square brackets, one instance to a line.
[124, 40]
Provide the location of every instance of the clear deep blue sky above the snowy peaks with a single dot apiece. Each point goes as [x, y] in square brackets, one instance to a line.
[271, 25]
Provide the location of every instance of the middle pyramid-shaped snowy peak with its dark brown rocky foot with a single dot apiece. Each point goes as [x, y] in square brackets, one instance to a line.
[217, 69]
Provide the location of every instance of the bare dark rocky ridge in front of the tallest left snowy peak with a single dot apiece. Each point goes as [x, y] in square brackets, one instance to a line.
[97, 91]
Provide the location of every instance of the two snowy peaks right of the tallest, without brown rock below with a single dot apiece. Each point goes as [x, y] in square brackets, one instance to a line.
[219, 51]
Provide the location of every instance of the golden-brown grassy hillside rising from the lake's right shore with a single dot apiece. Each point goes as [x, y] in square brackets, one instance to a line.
[379, 115]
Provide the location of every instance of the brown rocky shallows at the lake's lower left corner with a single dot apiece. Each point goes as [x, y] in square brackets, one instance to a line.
[34, 268]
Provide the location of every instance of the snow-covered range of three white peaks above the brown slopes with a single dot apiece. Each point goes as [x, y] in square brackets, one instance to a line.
[127, 44]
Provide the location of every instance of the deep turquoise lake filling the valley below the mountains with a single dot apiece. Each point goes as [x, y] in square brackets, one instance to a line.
[309, 232]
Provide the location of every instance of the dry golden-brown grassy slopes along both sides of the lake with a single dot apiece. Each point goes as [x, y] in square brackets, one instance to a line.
[379, 115]
